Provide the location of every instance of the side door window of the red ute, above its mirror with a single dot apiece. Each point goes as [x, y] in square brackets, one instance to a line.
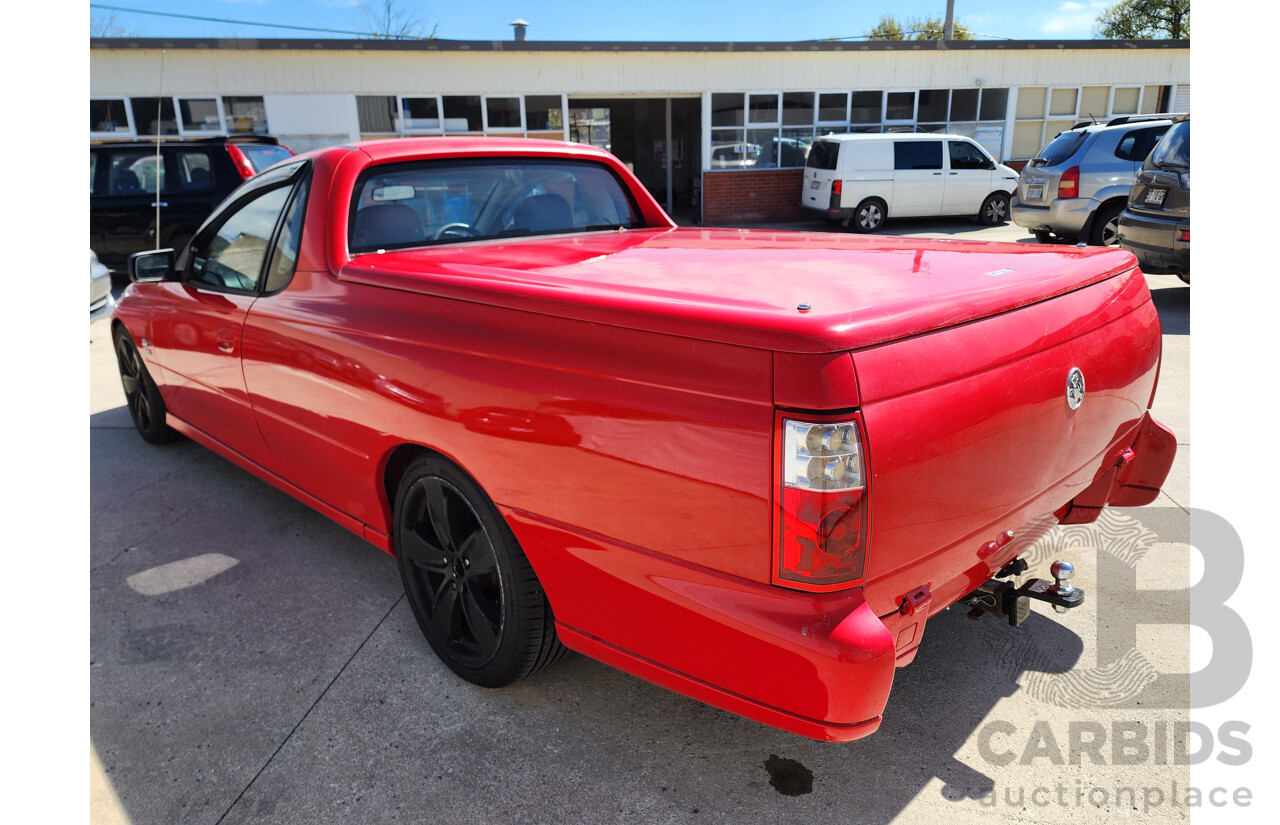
[232, 258]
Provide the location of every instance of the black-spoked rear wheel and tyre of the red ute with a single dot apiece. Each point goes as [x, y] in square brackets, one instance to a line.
[469, 584]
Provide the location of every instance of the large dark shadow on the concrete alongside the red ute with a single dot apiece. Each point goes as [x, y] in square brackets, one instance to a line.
[296, 686]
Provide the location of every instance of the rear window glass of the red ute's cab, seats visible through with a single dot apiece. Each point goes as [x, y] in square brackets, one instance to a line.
[450, 201]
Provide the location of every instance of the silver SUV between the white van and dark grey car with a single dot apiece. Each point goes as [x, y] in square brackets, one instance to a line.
[1078, 186]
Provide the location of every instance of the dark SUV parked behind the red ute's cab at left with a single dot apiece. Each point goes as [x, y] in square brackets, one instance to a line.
[193, 177]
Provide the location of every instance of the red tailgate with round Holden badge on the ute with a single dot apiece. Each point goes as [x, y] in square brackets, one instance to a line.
[971, 434]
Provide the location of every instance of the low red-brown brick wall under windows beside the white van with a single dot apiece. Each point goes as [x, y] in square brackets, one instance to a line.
[749, 198]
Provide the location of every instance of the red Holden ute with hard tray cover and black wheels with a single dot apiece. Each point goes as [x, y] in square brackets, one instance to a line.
[747, 466]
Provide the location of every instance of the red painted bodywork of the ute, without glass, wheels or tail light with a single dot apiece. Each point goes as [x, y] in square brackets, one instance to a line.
[618, 396]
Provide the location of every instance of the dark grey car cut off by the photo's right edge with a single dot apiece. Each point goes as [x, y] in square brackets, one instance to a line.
[1156, 226]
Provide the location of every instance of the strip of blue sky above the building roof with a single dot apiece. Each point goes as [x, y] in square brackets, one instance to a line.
[607, 20]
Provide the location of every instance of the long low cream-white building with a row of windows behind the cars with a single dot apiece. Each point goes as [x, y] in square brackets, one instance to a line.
[735, 116]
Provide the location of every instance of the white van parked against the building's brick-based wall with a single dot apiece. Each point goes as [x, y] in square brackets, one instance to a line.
[862, 180]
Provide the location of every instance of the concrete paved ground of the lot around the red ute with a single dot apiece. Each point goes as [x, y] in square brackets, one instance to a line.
[253, 662]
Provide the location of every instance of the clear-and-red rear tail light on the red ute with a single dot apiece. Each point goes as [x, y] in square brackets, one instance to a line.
[822, 506]
